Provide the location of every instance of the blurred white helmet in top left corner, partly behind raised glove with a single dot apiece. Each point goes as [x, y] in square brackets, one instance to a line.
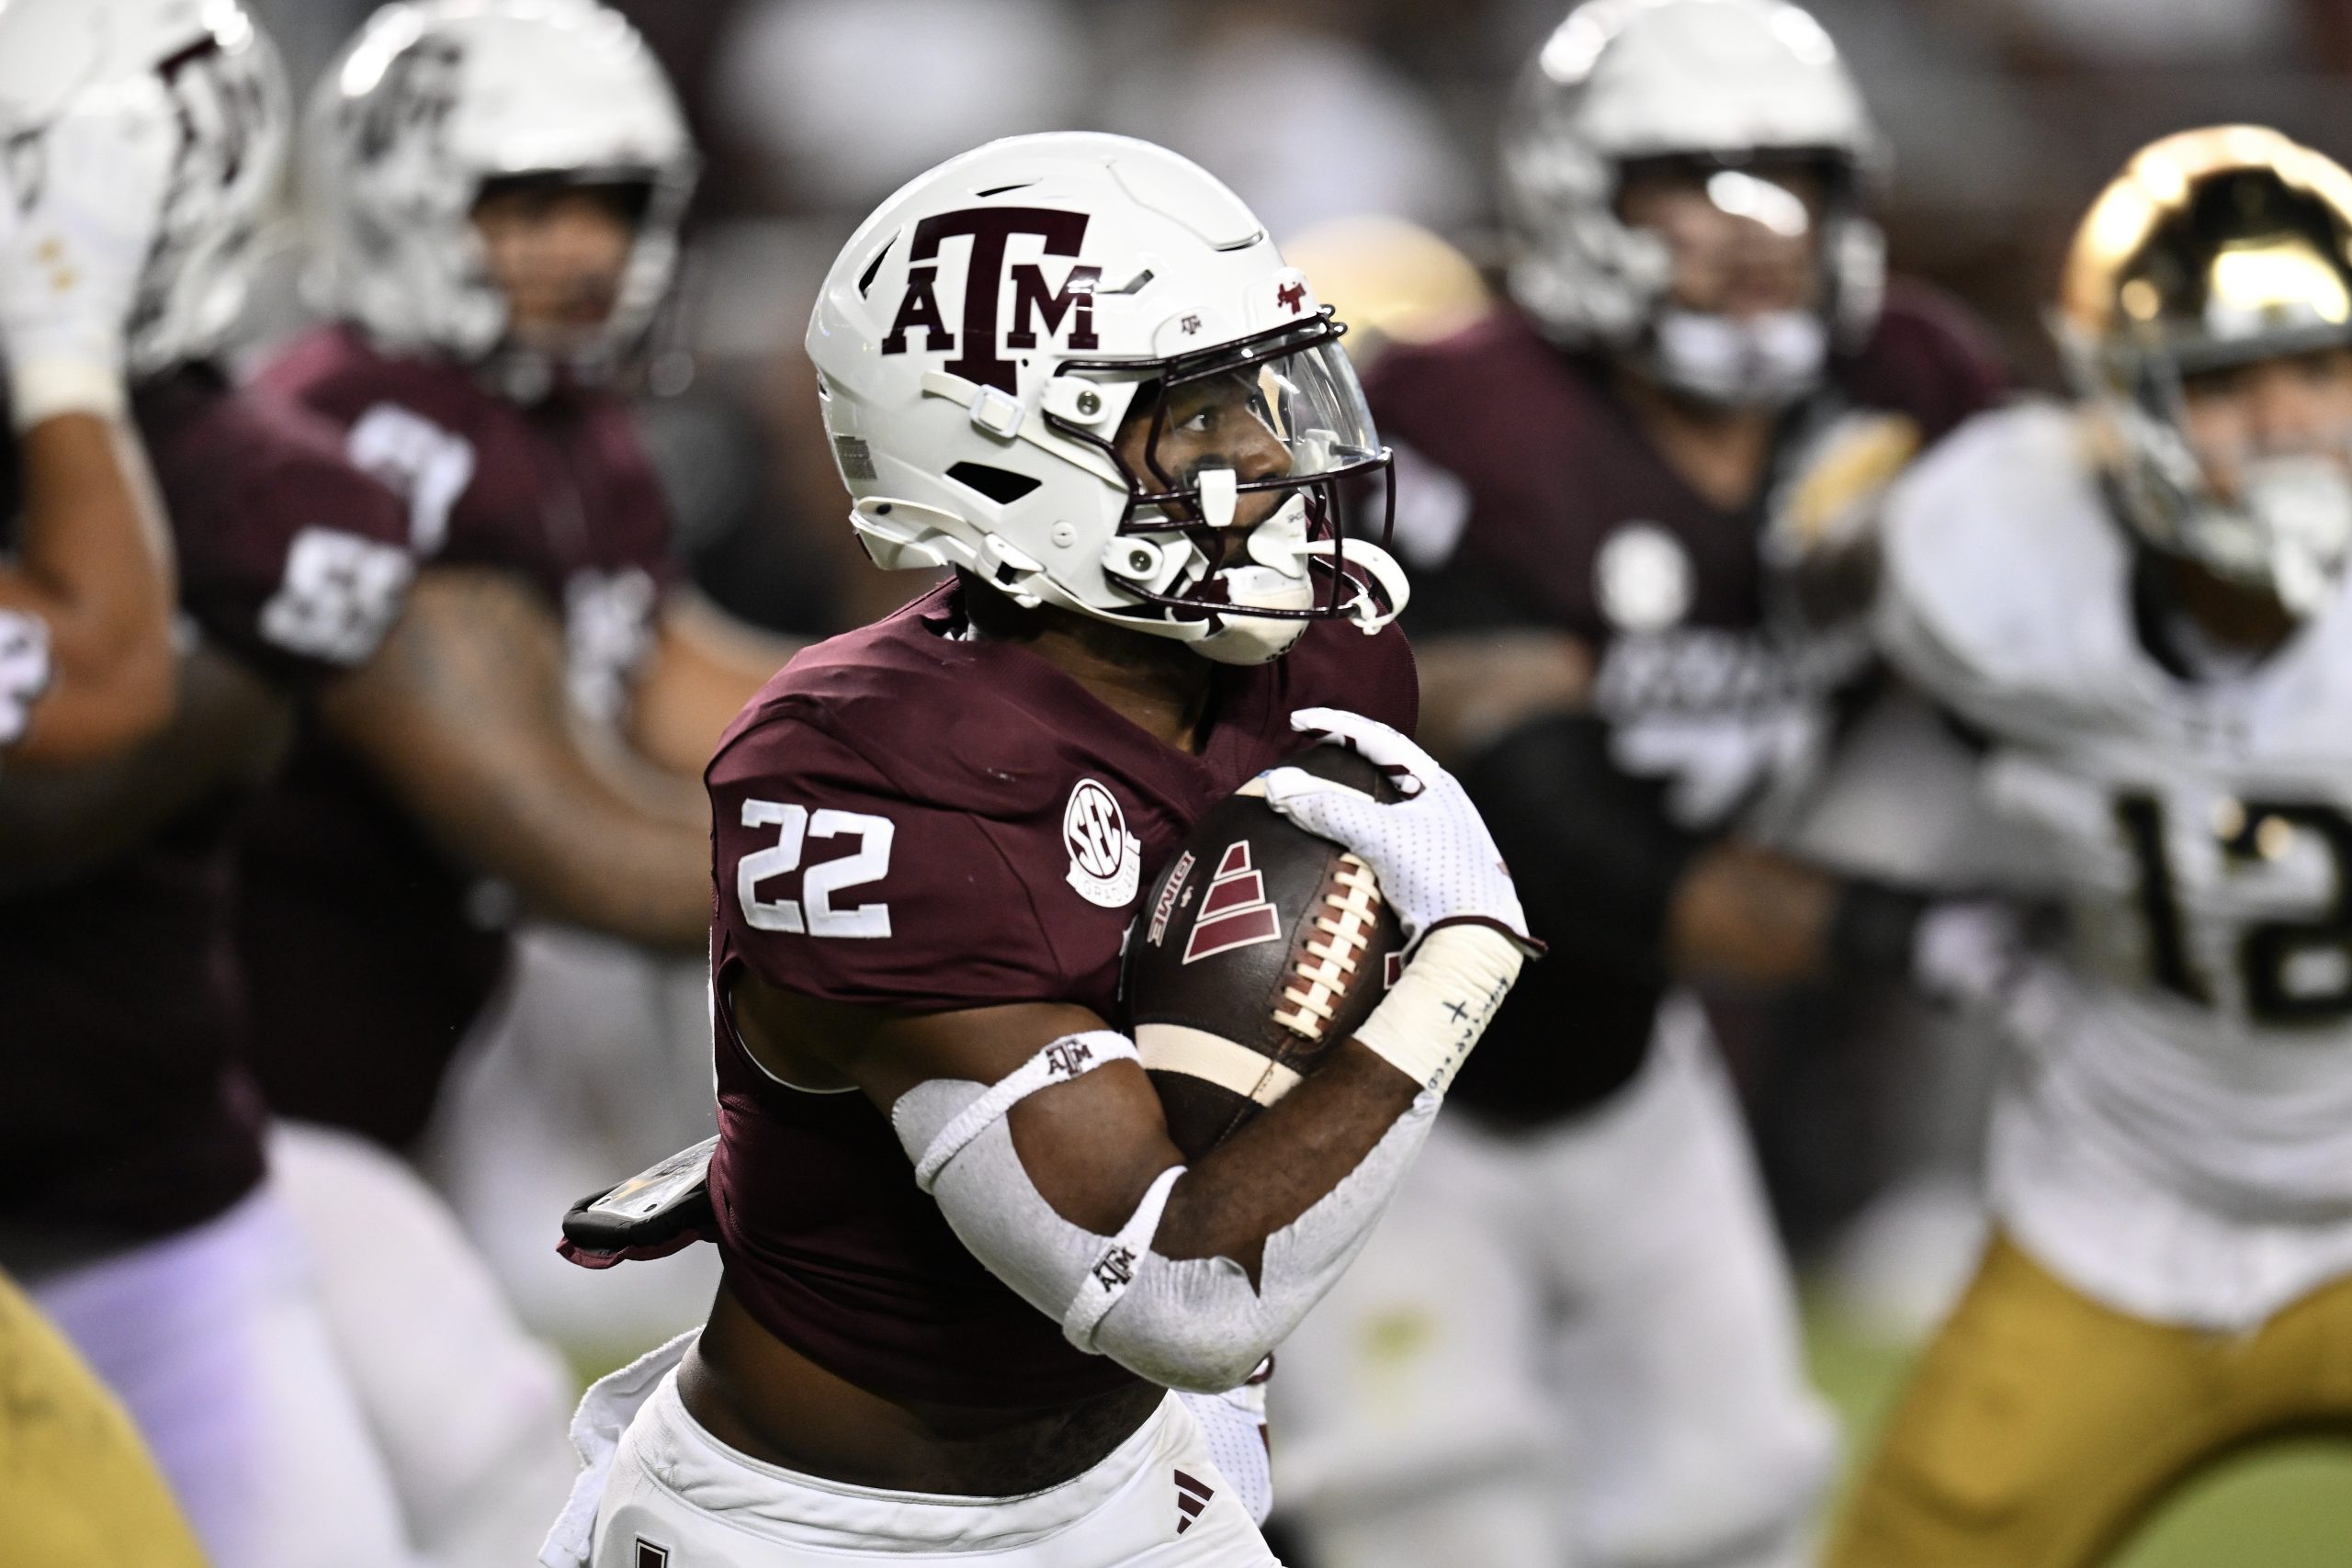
[199, 67]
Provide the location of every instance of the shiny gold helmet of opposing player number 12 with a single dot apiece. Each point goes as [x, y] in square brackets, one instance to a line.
[2212, 250]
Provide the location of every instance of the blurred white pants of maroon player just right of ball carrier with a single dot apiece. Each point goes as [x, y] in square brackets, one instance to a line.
[1572, 1346]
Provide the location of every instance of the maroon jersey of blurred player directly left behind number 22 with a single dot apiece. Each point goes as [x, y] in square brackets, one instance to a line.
[347, 909]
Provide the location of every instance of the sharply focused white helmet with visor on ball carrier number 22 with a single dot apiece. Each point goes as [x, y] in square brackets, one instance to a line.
[989, 330]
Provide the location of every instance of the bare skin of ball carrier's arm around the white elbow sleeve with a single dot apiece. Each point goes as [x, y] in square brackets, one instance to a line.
[1095, 1146]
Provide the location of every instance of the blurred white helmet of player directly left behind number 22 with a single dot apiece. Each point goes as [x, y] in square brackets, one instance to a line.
[439, 98]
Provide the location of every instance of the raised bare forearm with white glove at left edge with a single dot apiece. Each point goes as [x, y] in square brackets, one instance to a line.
[86, 605]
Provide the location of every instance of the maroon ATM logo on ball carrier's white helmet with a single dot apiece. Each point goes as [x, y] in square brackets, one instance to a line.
[1036, 302]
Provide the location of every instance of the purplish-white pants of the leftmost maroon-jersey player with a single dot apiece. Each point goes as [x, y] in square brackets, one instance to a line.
[220, 1351]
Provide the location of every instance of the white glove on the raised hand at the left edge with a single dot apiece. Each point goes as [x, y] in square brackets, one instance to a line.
[83, 217]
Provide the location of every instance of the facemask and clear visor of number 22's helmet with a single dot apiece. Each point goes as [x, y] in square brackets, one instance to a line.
[1243, 464]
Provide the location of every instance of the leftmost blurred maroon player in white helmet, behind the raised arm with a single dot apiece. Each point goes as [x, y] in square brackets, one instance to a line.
[133, 1181]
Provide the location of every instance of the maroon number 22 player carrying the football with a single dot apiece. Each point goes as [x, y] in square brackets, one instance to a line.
[965, 1266]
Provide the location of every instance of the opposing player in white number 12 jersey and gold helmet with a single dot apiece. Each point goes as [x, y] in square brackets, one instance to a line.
[2139, 605]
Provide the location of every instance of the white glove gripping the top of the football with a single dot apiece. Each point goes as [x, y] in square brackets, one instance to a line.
[1429, 852]
